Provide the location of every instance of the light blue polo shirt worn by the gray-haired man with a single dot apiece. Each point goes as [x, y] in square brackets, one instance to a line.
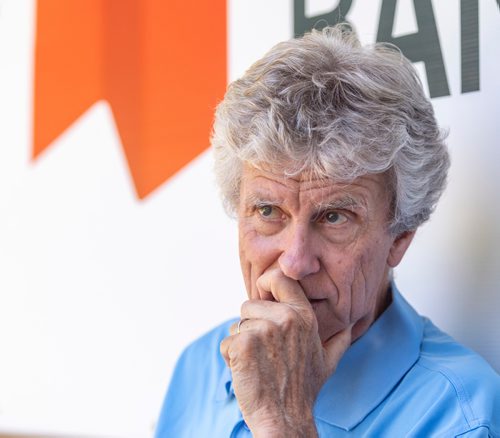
[402, 378]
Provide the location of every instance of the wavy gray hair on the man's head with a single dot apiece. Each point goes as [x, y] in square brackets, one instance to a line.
[326, 105]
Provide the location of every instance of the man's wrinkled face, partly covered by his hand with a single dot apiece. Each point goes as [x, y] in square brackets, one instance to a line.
[332, 238]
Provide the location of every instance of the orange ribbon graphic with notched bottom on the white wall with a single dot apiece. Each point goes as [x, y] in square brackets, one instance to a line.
[160, 64]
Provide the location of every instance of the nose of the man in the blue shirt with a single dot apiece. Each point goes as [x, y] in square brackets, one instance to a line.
[299, 256]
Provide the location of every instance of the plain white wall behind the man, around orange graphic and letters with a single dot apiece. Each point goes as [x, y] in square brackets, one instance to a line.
[99, 291]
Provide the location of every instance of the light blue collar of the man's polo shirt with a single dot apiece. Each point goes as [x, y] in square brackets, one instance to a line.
[369, 369]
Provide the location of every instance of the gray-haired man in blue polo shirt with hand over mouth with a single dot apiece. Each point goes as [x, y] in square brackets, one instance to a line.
[331, 158]
